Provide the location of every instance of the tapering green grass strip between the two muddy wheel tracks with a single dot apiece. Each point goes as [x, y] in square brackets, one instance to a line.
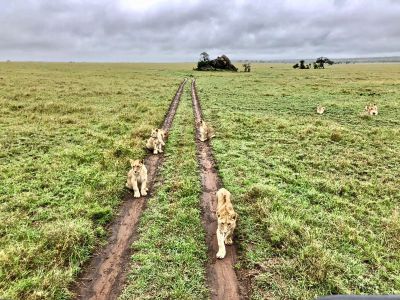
[169, 257]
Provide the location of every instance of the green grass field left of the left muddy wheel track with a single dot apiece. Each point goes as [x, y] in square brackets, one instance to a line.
[67, 131]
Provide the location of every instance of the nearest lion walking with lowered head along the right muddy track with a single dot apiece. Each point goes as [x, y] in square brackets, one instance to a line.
[226, 221]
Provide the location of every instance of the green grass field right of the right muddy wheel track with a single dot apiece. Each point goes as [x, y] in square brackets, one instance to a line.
[318, 196]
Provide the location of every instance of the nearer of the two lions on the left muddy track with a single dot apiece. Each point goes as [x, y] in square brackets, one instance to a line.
[137, 175]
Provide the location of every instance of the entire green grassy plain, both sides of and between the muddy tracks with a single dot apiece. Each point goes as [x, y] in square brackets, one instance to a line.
[317, 195]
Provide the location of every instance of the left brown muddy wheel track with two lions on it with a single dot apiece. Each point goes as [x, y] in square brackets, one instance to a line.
[105, 275]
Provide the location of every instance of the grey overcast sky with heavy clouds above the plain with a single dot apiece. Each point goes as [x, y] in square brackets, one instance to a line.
[175, 30]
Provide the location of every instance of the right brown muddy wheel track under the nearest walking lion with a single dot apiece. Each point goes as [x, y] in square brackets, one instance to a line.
[221, 276]
